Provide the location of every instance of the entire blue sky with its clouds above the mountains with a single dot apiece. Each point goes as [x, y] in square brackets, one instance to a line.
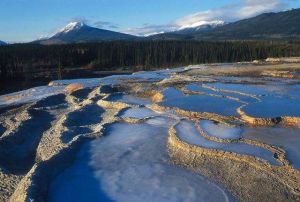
[26, 20]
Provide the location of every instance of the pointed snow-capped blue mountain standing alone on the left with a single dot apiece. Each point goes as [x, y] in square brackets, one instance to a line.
[79, 32]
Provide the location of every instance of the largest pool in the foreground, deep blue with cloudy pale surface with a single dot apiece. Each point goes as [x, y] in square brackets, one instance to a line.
[130, 163]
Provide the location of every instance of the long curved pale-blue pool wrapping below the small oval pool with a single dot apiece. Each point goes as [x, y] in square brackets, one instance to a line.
[188, 133]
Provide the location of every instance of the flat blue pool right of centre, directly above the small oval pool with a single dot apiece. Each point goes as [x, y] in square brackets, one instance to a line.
[199, 103]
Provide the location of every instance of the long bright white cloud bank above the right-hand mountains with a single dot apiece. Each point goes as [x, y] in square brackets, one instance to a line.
[229, 13]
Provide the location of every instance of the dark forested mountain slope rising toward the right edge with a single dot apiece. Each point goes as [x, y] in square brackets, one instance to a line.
[282, 25]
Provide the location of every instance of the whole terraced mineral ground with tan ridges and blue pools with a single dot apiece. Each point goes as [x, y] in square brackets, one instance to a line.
[213, 122]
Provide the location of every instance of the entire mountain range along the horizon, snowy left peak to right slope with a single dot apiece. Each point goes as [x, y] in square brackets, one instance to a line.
[282, 25]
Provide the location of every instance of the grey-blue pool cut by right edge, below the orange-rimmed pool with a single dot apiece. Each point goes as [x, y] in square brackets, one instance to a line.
[286, 138]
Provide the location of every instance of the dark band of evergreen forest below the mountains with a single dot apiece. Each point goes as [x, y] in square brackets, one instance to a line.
[21, 60]
